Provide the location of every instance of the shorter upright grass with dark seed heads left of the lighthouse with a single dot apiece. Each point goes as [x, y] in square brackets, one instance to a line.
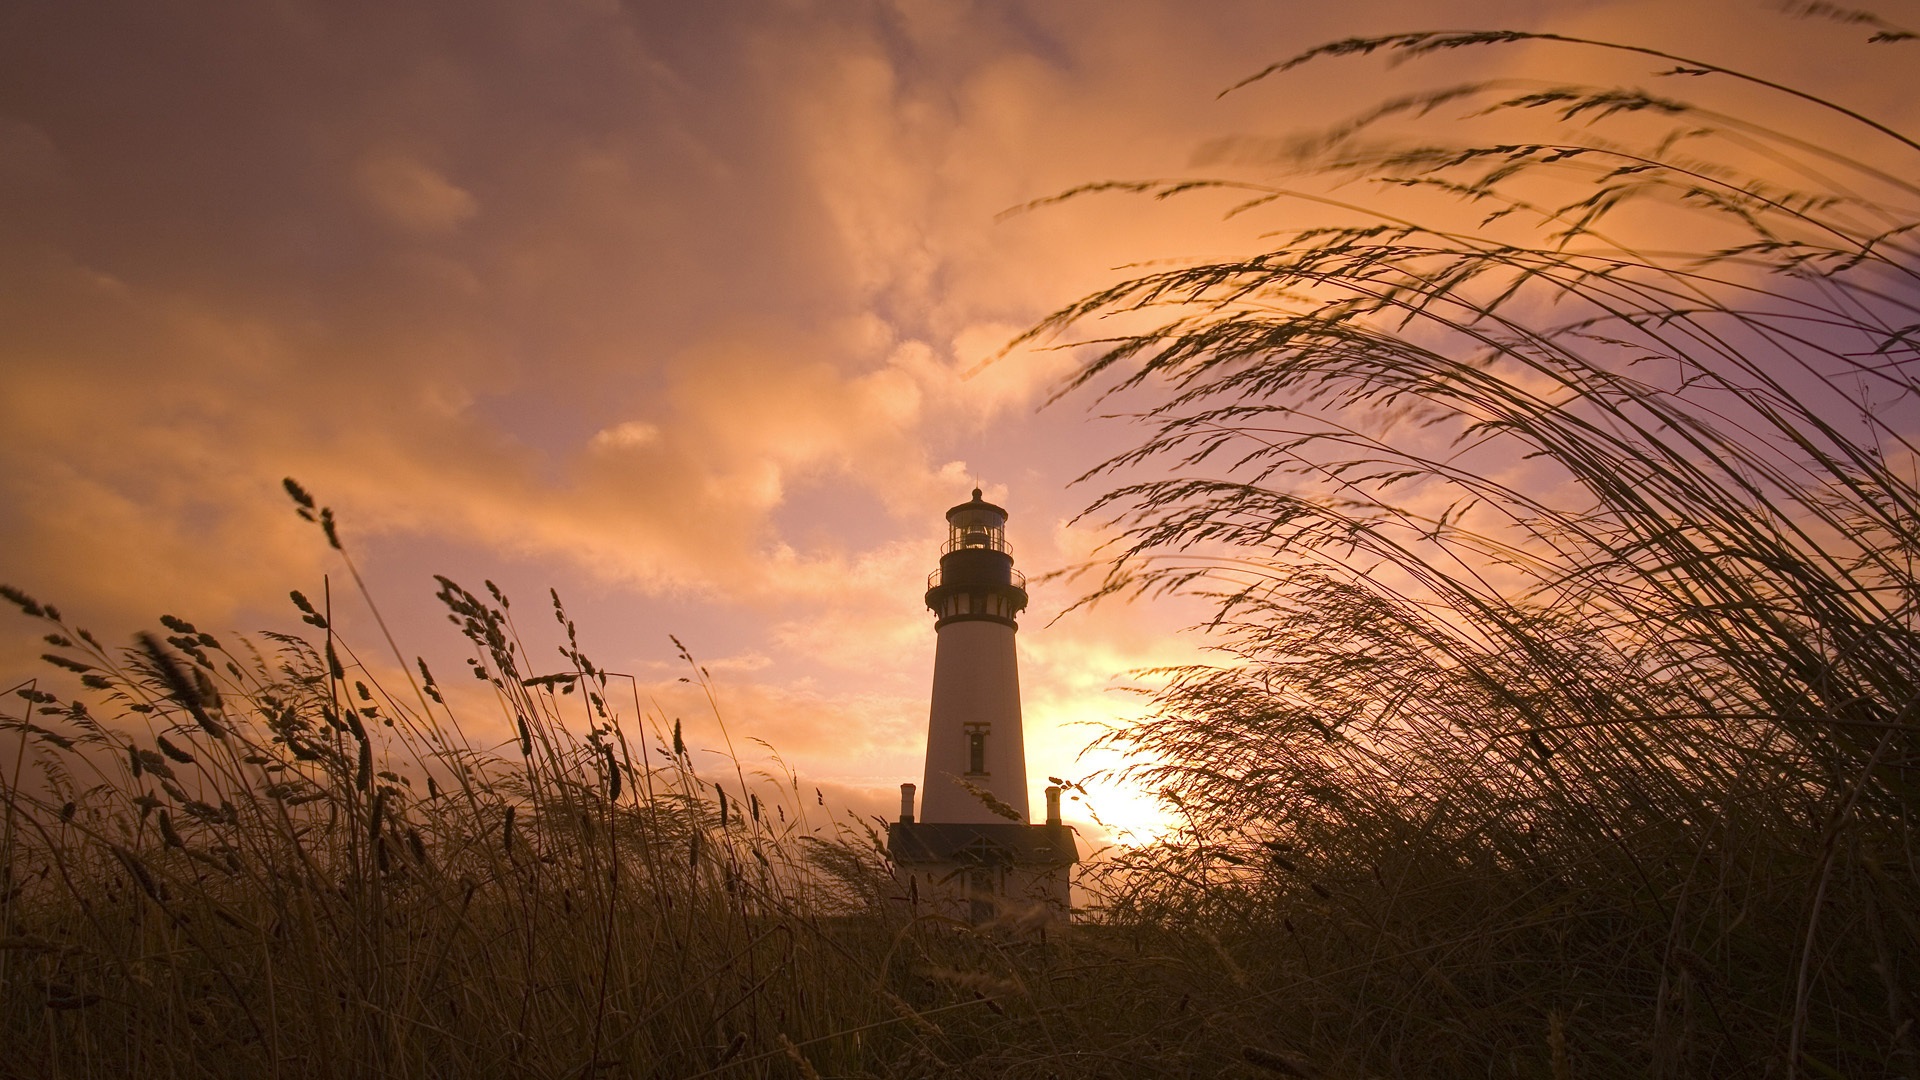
[281, 862]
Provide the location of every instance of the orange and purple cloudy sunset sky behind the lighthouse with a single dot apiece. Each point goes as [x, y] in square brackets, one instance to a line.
[690, 312]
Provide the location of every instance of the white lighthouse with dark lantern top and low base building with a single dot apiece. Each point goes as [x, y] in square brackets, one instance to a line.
[971, 848]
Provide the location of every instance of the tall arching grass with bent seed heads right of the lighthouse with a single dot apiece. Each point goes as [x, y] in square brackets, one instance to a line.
[1560, 508]
